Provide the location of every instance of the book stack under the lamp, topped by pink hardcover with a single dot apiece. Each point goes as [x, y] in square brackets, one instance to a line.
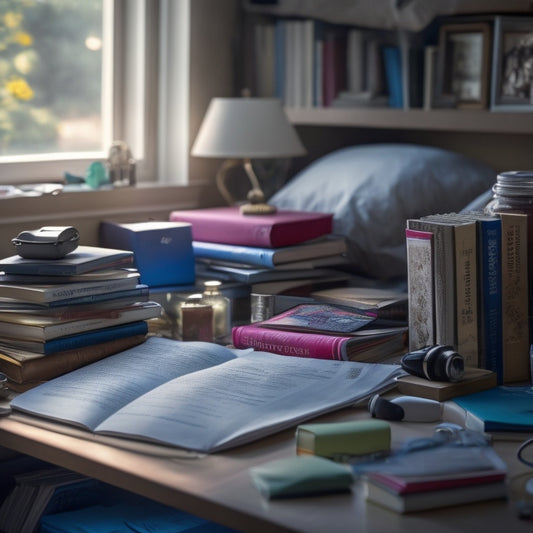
[286, 245]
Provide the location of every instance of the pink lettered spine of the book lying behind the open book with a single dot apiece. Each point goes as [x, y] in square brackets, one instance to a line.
[289, 342]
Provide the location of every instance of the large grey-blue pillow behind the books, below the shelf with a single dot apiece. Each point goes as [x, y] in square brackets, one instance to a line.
[373, 189]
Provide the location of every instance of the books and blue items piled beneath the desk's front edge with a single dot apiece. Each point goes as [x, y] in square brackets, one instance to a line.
[55, 499]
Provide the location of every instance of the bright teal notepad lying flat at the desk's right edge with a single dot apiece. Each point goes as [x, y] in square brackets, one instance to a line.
[503, 408]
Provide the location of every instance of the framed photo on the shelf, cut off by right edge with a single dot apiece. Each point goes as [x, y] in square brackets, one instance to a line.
[512, 70]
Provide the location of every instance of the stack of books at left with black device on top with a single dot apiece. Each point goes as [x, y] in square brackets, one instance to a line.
[57, 315]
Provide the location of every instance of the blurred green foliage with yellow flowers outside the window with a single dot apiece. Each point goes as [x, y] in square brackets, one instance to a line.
[48, 74]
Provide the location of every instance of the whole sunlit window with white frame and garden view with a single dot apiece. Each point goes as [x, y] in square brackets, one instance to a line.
[76, 75]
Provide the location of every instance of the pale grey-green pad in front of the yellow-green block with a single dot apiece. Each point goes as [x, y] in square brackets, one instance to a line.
[300, 476]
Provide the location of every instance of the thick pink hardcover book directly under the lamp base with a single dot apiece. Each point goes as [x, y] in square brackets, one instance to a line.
[228, 225]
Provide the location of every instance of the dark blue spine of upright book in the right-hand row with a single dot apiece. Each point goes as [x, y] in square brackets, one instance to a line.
[490, 236]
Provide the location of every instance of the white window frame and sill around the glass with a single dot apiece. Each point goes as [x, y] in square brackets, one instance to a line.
[132, 112]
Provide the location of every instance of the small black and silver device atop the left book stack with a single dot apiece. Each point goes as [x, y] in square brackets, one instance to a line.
[48, 242]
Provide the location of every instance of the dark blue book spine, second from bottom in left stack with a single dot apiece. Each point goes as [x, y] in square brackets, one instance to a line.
[96, 336]
